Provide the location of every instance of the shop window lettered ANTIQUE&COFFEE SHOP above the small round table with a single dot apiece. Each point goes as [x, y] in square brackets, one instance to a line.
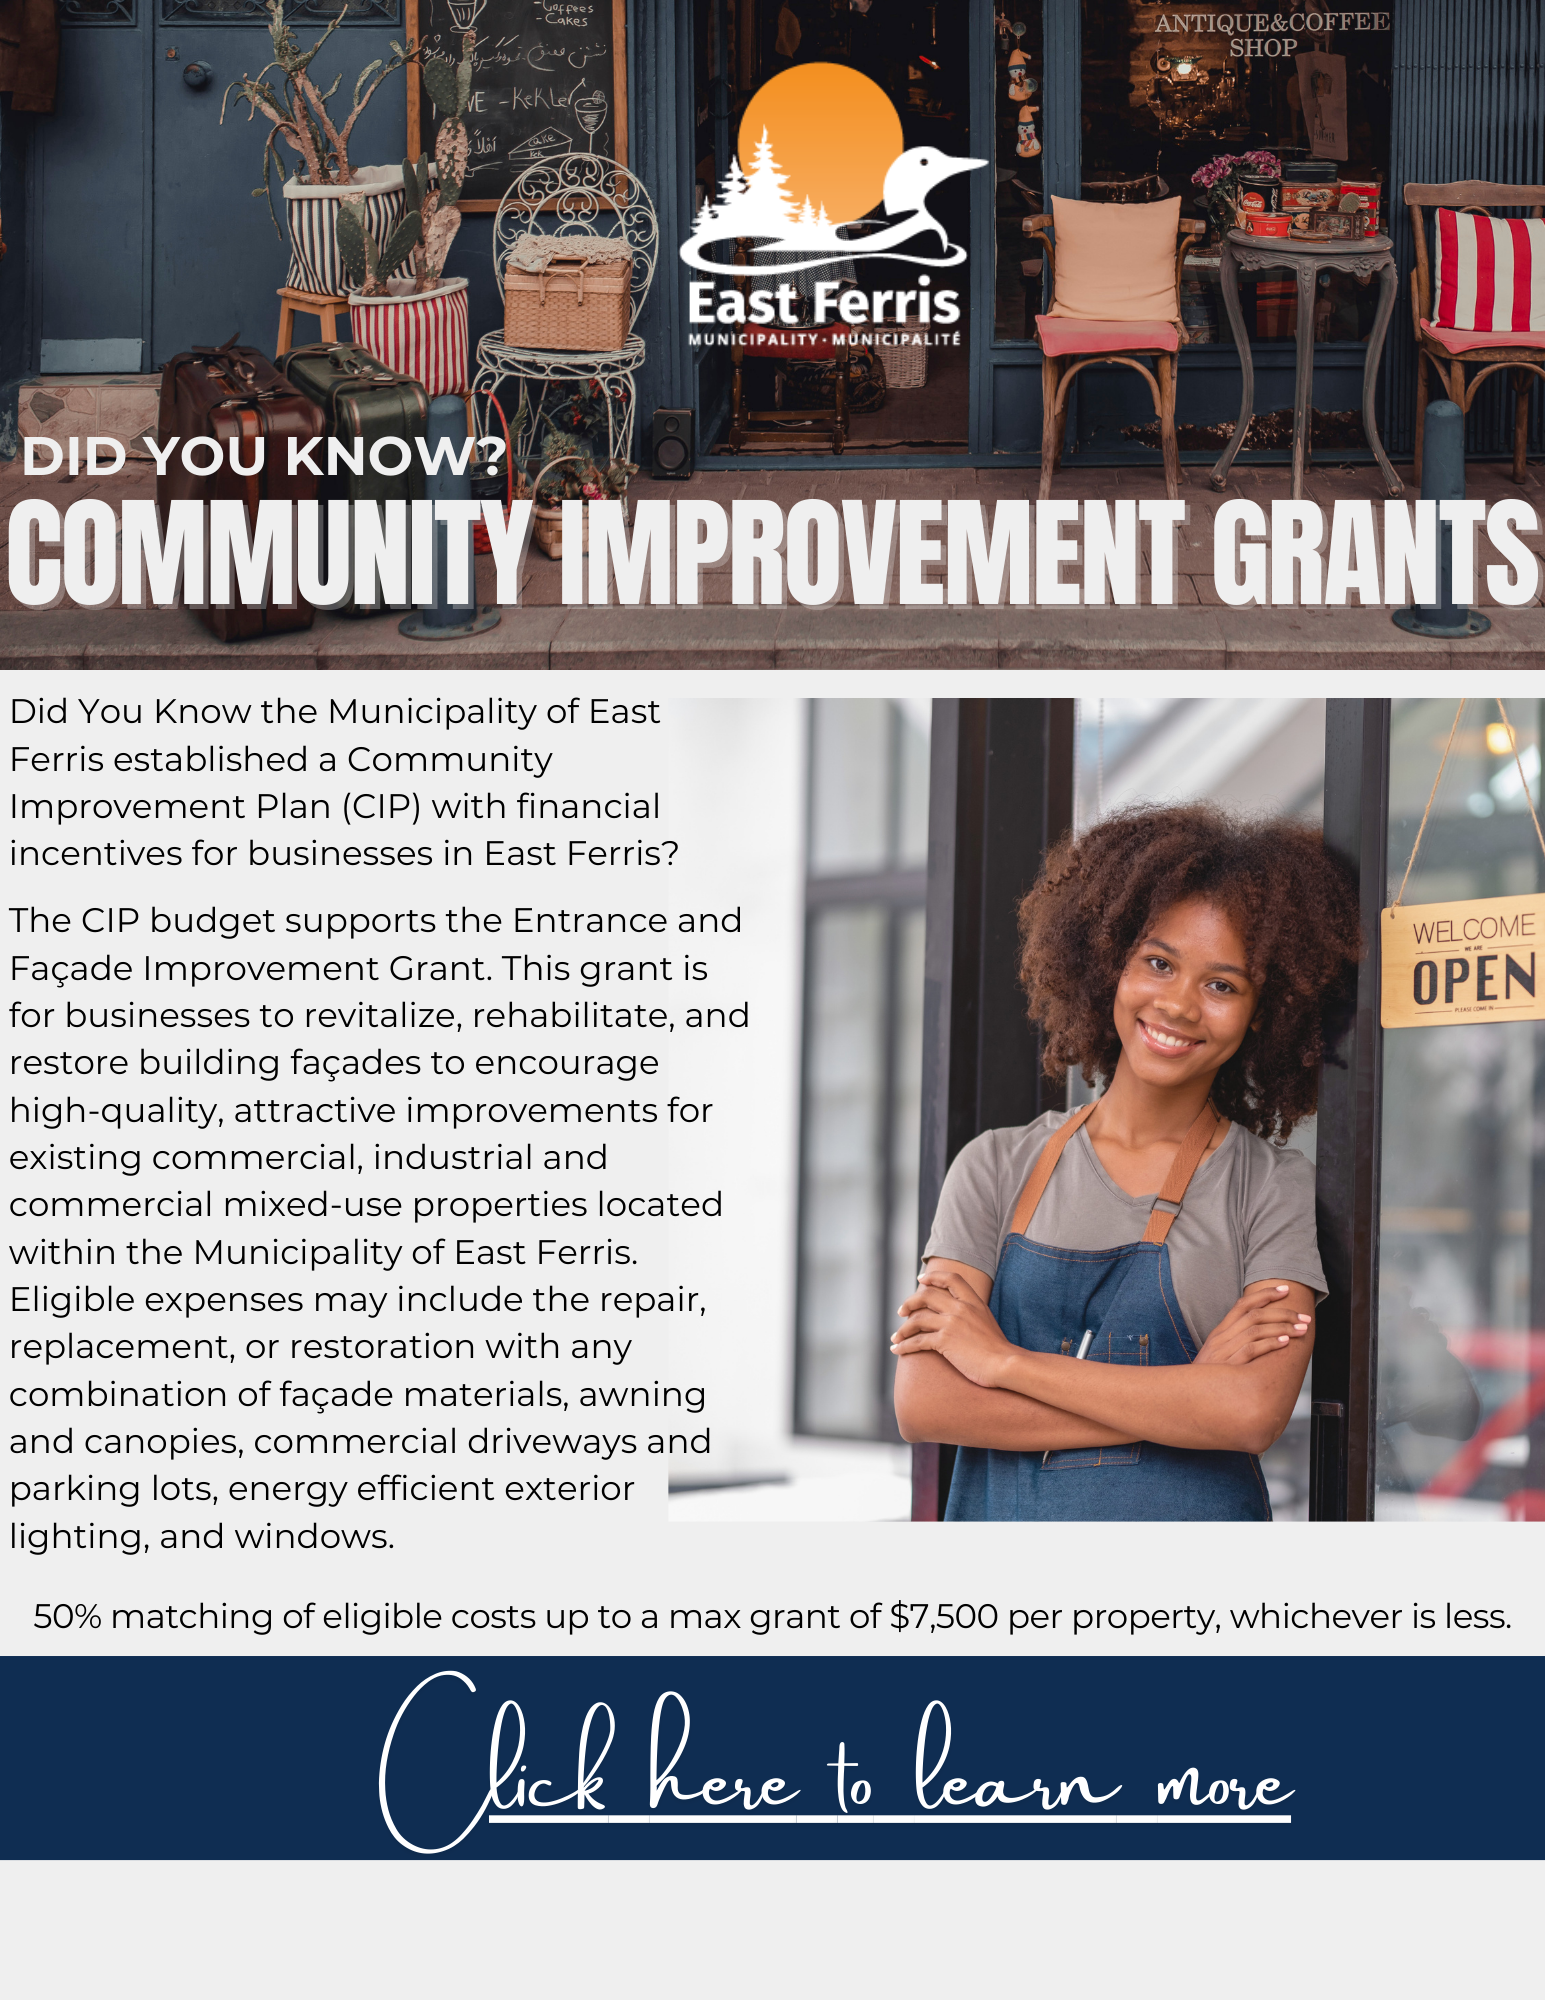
[1166, 93]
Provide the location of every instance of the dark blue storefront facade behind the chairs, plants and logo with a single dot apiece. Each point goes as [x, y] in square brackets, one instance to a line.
[133, 231]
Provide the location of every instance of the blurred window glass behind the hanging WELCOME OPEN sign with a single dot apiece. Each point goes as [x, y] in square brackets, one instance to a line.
[1462, 1267]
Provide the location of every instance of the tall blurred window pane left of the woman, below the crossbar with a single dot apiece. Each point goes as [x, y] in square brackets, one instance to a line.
[844, 1173]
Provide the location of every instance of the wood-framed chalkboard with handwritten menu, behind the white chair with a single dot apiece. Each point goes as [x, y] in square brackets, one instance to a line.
[547, 77]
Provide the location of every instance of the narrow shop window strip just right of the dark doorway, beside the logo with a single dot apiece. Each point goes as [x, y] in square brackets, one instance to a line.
[1020, 185]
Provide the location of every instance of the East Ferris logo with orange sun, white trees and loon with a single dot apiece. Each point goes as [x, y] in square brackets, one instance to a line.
[826, 151]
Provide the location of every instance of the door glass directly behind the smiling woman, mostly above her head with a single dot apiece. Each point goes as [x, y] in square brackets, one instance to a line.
[1248, 757]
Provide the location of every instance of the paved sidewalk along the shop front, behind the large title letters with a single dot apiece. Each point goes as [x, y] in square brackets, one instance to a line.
[541, 633]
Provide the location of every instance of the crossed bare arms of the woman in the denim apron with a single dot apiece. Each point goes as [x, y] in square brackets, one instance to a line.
[960, 1381]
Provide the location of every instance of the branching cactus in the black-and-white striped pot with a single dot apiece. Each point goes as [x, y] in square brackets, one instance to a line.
[299, 117]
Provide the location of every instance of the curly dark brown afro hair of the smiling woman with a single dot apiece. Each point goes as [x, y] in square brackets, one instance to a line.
[1288, 897]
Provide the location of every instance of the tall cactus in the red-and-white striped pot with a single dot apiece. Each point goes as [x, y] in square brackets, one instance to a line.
[417, 323]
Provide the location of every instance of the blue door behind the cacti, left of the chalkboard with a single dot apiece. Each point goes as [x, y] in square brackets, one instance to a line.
[151, 241]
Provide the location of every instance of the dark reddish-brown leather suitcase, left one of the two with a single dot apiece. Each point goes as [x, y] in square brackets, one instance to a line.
[237, 393]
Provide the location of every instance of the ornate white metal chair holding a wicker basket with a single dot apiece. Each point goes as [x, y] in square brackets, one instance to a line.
[573, 195]
